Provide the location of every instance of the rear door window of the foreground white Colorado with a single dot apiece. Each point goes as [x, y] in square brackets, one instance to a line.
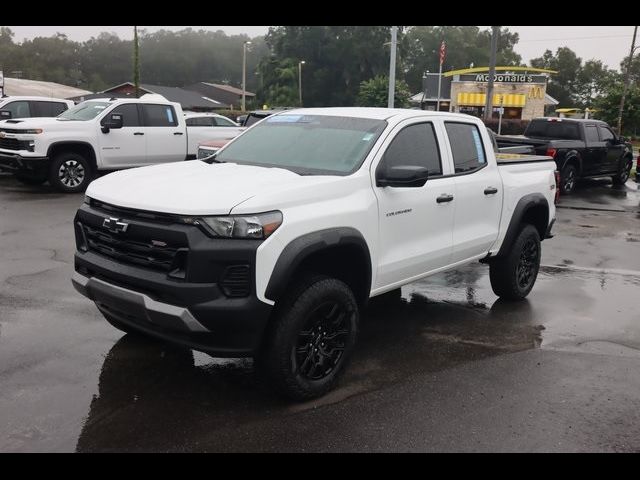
[466, 147]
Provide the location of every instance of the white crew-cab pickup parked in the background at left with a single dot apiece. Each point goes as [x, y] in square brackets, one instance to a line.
[101, 135]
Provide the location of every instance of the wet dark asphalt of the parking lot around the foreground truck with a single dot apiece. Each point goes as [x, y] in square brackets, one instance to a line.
[448, 367]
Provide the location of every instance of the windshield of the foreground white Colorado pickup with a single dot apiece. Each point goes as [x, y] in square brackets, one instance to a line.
[306, 144]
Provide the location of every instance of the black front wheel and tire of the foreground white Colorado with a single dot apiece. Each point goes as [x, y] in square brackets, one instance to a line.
[313, 334]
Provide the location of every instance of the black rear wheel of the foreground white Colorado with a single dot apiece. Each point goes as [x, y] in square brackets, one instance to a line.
[513, 276]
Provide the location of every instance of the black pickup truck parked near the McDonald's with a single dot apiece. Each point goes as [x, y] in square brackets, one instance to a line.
[581, 148]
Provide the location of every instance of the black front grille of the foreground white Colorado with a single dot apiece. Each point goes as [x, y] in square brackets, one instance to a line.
[150, 254]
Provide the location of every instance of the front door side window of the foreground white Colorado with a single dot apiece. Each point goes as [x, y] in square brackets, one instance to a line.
[415, 145]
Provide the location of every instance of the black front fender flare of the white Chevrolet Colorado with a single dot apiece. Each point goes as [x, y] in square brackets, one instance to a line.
[302, 247]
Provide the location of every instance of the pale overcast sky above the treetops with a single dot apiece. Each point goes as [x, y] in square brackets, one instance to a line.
[609, 44]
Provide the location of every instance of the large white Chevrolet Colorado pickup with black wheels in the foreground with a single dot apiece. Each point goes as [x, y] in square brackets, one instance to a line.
[272, 247]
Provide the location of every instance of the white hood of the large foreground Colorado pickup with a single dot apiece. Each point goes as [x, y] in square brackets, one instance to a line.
[196, 188]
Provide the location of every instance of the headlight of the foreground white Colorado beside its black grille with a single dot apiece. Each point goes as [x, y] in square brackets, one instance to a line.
[258, 226]
